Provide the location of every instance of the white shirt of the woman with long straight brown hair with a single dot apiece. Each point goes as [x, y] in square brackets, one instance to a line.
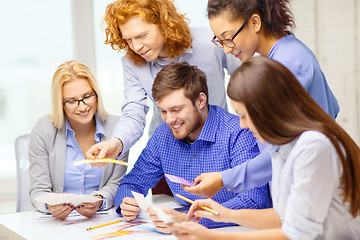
[306, 190]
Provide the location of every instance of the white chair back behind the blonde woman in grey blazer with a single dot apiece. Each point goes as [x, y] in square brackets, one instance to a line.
[23, 202]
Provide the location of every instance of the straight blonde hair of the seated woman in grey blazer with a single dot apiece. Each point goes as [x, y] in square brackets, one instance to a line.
[66, 72]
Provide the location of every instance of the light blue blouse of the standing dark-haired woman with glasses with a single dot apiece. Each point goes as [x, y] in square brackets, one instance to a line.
[301, 61]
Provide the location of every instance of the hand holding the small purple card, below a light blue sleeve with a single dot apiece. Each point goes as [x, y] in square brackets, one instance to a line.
[206, 185]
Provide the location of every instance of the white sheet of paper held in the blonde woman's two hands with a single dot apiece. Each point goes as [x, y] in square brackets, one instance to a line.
[60, 198]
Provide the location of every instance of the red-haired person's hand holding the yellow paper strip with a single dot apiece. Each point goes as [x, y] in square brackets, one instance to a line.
[107, 149]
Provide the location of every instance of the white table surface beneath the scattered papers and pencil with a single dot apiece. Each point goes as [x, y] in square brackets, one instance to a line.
[34, 225]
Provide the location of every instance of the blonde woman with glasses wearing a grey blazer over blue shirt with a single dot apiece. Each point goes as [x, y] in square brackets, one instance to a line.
[78, 120]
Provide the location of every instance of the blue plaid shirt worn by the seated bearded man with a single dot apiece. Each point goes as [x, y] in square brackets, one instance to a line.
[221, 145]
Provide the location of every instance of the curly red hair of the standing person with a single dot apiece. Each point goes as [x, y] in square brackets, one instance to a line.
[163, 13]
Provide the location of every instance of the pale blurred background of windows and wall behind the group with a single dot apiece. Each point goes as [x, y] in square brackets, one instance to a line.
[39, 35]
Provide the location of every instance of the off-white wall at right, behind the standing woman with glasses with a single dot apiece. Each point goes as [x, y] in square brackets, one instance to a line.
[331, 29]
